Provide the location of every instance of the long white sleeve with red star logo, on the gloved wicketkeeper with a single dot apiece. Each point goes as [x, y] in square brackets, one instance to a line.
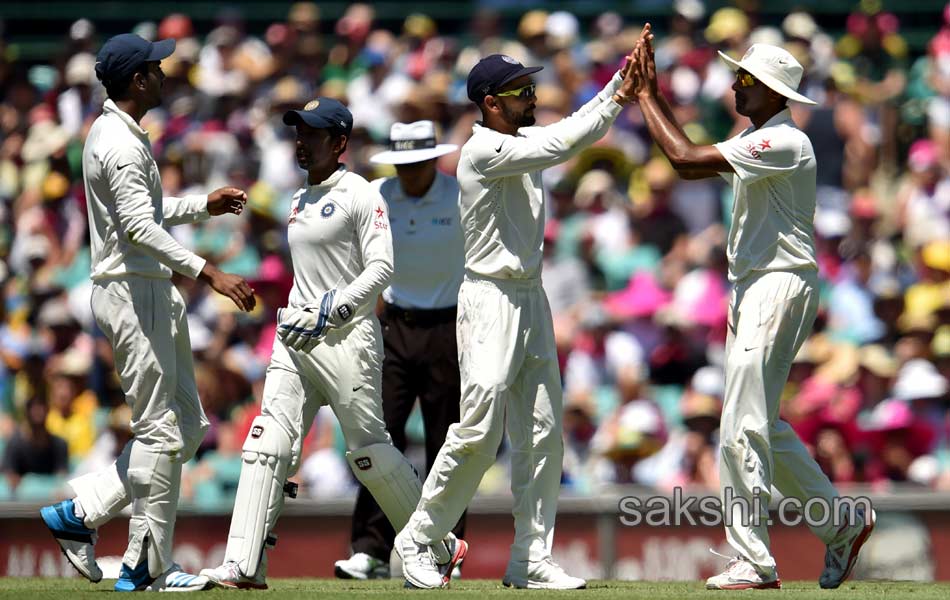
[371, 217]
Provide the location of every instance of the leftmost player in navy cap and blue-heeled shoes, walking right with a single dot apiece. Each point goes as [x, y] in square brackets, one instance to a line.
[143, 316]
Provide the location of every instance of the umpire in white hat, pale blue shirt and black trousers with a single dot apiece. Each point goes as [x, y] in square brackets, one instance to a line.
[418, 320]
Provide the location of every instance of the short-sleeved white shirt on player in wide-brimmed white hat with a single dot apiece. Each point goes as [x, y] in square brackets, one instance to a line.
[774, 198]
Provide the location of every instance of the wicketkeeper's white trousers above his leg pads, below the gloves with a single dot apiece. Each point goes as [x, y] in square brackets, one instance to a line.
[343, 371]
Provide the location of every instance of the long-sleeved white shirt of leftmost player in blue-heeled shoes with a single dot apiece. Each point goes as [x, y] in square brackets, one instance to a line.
[127, 214]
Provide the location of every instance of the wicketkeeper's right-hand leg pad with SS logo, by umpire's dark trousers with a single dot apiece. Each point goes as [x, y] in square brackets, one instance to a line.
[390, 478]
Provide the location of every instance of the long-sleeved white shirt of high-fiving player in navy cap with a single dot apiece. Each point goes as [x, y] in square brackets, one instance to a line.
[501, 194]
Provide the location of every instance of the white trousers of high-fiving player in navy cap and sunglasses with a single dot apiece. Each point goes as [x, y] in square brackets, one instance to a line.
[508, 364]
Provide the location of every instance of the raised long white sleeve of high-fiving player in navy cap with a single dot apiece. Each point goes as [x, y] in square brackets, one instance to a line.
[541, 147]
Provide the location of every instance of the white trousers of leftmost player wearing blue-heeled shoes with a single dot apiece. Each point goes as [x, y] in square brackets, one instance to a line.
[145, 321]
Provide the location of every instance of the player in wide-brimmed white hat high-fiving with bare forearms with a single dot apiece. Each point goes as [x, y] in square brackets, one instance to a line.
[771, 251]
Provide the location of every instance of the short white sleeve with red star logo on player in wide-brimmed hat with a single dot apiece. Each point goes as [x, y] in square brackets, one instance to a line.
[761, 154]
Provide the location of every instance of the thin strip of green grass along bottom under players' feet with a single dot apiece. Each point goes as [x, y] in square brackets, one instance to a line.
[475, 589]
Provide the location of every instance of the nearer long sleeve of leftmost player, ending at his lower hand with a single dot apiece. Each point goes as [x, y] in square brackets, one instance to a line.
[135, 214]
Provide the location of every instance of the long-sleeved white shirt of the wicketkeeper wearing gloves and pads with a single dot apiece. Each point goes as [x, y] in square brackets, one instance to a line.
[339, 239]
